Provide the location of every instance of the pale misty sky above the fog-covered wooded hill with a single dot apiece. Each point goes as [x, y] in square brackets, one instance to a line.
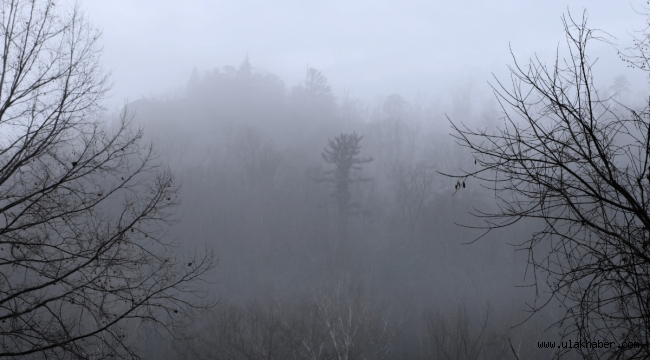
[367, 47]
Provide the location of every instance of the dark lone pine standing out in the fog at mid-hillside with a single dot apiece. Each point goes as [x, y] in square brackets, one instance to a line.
[342, 153]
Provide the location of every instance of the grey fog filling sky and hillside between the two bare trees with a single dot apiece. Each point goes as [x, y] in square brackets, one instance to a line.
[240, 99]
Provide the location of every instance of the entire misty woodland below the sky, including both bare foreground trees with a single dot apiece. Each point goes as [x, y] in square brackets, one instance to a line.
[241, 217]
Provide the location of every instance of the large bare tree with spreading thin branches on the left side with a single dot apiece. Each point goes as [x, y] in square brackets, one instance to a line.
[84, 260]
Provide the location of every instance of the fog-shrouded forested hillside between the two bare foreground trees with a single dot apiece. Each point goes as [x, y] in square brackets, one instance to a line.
[250, 153]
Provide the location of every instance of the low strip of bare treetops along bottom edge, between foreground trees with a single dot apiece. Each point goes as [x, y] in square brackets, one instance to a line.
[344, 319]
